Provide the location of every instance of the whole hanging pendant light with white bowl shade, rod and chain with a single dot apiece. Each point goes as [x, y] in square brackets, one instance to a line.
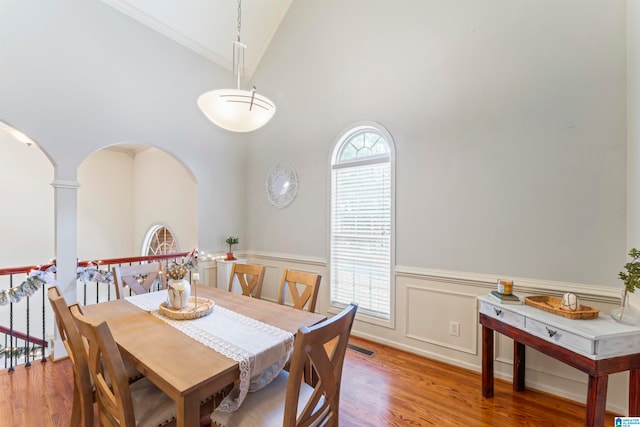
[237, 110]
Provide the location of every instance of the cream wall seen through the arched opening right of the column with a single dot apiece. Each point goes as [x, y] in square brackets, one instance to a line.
[127, 188]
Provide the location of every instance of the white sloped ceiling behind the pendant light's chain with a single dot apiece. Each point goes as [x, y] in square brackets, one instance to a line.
[209, 27]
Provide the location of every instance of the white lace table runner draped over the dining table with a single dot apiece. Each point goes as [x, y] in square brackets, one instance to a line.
[261, 350]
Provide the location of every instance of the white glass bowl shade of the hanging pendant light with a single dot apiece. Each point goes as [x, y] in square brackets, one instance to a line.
[236, 110]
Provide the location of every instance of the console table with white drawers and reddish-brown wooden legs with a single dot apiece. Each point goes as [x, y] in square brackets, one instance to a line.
[598, 347]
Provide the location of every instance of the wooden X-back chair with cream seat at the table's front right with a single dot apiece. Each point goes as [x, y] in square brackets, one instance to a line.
[288, 401]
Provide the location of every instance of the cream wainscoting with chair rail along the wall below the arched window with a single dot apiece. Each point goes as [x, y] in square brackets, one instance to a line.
[427, 301]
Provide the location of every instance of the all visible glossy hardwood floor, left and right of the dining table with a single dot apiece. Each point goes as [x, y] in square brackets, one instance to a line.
[390, 388]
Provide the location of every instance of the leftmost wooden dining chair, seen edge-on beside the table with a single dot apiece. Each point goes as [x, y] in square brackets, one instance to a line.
[83, 398]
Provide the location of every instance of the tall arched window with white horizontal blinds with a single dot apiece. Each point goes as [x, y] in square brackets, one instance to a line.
[361, 220]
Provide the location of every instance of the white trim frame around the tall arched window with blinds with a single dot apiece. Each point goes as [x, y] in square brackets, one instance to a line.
[345, 134]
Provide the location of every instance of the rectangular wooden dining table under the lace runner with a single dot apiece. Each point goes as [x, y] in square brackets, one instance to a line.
[183, 366]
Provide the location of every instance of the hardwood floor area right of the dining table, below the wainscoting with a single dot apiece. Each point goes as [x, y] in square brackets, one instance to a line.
[395, 388]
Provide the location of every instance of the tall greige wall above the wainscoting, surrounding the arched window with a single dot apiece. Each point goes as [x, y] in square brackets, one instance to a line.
[508, 119]
